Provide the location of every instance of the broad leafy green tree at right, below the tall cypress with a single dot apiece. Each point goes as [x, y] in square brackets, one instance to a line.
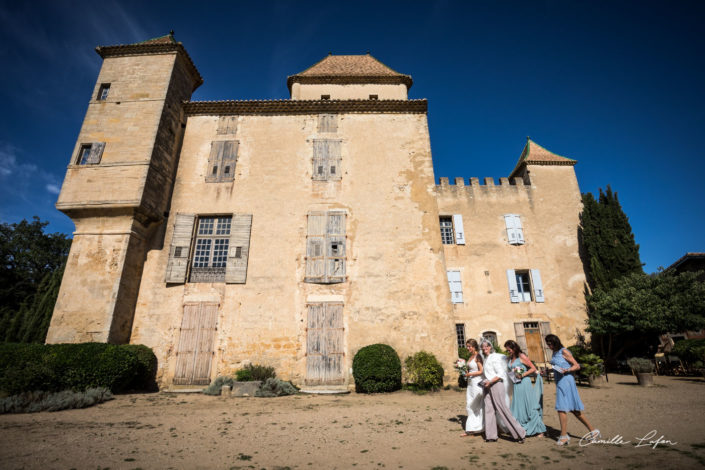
[640, 307]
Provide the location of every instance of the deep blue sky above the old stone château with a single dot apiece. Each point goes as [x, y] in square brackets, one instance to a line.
[618, 86]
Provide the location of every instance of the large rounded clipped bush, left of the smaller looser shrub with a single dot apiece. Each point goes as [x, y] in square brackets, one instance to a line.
[377, 368]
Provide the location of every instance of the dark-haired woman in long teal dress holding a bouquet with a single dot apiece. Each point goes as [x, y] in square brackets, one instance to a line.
[527, 403]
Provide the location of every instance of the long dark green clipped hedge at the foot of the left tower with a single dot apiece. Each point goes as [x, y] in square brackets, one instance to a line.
[58, 367]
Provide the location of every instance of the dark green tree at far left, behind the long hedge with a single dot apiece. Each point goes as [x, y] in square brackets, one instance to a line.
[30, 274]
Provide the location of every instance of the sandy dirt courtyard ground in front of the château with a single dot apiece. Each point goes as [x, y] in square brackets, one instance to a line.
[390, 431]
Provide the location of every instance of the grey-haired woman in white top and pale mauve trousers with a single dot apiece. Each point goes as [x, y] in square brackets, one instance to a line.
[496, 397]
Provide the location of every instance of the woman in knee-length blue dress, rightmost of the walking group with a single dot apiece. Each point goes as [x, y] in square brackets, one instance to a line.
[567, 398]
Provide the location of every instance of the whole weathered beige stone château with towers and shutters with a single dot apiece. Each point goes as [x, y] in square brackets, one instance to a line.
[294, 232]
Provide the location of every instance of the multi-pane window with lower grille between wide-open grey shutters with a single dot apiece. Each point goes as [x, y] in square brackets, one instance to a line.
[210, 254]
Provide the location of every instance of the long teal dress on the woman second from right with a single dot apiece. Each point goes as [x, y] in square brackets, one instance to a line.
[527, 403]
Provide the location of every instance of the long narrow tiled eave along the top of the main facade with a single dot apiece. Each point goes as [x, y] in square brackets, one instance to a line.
[283, 107]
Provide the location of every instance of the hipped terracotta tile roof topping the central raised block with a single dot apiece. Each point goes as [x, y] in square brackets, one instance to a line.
[349, 69]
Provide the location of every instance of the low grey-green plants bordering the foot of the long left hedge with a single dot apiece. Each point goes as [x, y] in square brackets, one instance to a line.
[33, 402]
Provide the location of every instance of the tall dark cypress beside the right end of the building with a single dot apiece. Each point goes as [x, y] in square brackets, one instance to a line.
[607, 242]
